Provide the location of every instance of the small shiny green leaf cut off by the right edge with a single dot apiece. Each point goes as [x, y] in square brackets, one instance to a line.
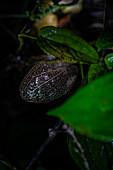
[109, 61]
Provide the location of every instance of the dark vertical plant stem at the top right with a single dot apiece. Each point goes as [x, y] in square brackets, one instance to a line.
[106, 14]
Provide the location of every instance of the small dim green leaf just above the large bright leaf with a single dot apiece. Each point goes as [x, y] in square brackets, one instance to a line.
[95, 71]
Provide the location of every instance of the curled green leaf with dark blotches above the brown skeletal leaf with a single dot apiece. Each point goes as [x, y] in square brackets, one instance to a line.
[67, 41]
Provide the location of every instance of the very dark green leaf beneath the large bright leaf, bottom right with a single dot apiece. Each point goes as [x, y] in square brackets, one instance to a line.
[99, 155]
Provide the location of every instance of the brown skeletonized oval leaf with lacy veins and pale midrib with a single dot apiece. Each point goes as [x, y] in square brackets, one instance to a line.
[48, 81]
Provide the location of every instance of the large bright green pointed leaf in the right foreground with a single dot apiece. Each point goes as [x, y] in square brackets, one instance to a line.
[90, 110]
